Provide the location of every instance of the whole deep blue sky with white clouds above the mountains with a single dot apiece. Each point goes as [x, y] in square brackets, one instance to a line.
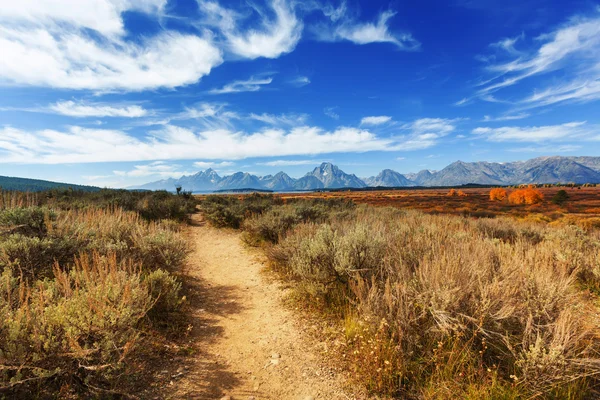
[122, 92]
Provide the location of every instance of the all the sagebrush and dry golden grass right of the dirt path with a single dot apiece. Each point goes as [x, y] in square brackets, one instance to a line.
[440, 306]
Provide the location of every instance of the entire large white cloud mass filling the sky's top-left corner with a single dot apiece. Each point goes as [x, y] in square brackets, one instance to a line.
[82, 45]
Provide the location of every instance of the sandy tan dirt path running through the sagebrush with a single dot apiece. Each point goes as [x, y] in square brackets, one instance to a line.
[249, 345]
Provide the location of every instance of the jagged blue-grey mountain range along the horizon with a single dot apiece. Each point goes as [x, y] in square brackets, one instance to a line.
[328, 176]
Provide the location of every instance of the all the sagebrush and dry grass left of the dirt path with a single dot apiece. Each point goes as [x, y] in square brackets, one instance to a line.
[84, 277]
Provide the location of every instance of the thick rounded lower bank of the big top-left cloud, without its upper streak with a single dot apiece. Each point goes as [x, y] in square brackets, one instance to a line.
[69, 59]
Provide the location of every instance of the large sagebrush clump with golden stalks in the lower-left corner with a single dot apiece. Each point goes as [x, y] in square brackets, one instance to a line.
[80, 325]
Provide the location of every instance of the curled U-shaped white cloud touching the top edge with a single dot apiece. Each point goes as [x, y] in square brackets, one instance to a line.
[276, 36]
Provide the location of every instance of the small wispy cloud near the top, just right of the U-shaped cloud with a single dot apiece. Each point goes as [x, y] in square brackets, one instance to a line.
[367, 32]
